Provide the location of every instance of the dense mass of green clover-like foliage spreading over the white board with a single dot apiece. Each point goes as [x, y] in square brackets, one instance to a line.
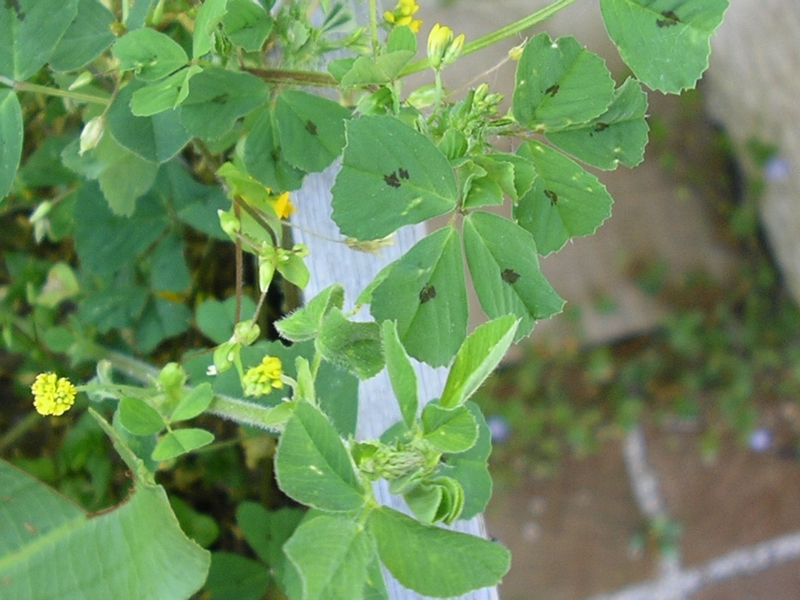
[194, 131]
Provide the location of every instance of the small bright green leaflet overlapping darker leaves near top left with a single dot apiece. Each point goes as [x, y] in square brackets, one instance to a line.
[150, 53]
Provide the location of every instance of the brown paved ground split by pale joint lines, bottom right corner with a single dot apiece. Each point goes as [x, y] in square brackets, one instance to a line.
[571, 535]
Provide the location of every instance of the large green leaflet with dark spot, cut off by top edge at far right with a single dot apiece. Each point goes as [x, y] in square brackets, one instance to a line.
[666, 43]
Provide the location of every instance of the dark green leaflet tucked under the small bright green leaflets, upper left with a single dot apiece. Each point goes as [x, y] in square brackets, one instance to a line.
[157, 138]
